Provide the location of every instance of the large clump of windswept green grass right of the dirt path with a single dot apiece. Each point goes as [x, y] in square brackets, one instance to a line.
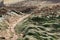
[45, 27]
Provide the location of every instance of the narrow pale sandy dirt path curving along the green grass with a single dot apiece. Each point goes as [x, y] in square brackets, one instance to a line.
[13, 26]
